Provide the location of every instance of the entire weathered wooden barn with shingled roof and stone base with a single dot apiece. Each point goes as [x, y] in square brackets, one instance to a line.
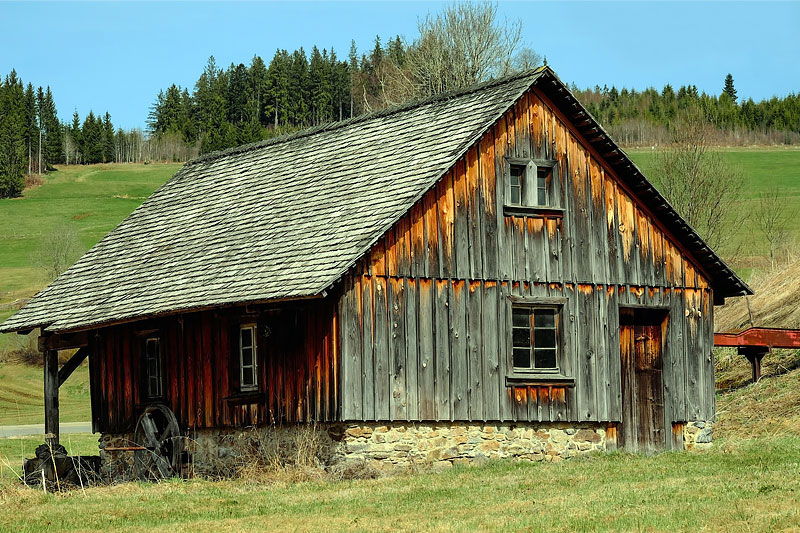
[482, 274]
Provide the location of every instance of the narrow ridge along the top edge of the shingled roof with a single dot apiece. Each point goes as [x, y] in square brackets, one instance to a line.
[332, 126]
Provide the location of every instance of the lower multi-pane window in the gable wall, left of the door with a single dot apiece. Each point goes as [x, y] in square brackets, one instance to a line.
[535, 338]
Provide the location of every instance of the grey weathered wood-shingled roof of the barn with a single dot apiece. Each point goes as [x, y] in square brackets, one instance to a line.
[285, 218]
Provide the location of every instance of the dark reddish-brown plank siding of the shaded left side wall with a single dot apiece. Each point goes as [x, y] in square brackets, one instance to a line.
[297, 368]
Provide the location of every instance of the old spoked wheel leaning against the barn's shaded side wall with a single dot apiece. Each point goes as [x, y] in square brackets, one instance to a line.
[158, 433]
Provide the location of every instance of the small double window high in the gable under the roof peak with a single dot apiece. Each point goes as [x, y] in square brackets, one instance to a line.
[529, 184]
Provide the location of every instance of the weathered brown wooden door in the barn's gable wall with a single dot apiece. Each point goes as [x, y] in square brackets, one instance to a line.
[641, 347]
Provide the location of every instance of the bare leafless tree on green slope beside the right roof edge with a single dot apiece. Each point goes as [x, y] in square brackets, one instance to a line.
[699, 184]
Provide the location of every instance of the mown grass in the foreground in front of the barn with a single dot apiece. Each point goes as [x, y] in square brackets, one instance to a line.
[737, 487]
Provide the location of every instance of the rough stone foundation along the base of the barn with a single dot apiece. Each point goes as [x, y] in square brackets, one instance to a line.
[382, 446]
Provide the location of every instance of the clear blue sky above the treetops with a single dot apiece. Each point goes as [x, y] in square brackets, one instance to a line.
[116, 56]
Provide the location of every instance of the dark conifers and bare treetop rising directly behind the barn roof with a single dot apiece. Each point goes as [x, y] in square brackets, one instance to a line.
[461, 46]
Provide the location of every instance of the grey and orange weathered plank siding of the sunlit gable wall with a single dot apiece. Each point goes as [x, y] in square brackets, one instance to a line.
[431, 338]
